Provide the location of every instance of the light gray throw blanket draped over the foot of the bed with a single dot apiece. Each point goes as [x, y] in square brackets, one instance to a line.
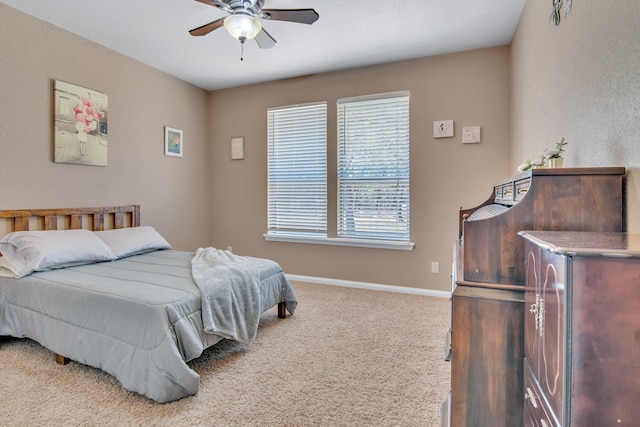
[229, 287]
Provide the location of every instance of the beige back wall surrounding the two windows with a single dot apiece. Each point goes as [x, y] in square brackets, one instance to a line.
[472, 88]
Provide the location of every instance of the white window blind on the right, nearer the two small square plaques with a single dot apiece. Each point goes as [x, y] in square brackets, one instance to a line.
[373, 167]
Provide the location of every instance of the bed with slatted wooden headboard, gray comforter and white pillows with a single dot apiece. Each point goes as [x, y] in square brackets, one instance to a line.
[131, 305]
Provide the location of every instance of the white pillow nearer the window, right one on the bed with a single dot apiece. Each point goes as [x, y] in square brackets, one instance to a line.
[130, 241]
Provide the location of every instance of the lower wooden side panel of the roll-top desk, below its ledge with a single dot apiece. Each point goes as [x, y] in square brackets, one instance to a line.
[486, 358]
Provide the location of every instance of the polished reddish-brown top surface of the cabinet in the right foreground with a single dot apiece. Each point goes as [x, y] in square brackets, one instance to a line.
[584, 243]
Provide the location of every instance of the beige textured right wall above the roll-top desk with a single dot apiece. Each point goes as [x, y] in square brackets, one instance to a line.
[580, 81]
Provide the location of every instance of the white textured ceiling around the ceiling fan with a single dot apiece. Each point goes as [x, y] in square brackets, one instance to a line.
[348, 34]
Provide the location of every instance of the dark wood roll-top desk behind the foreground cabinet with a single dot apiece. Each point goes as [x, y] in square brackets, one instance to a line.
[487, 326]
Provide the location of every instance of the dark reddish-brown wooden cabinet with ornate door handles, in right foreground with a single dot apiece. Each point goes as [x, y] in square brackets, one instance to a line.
[582, 329]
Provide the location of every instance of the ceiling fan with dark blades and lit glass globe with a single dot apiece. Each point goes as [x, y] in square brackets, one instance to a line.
[243, 20]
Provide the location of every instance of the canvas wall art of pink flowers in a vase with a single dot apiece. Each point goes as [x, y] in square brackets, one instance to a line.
[80, 125]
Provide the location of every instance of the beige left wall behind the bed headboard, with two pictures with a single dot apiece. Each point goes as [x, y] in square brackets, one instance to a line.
[174, 193]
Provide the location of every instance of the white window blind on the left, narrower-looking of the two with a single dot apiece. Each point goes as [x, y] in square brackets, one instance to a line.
[297, 169]
